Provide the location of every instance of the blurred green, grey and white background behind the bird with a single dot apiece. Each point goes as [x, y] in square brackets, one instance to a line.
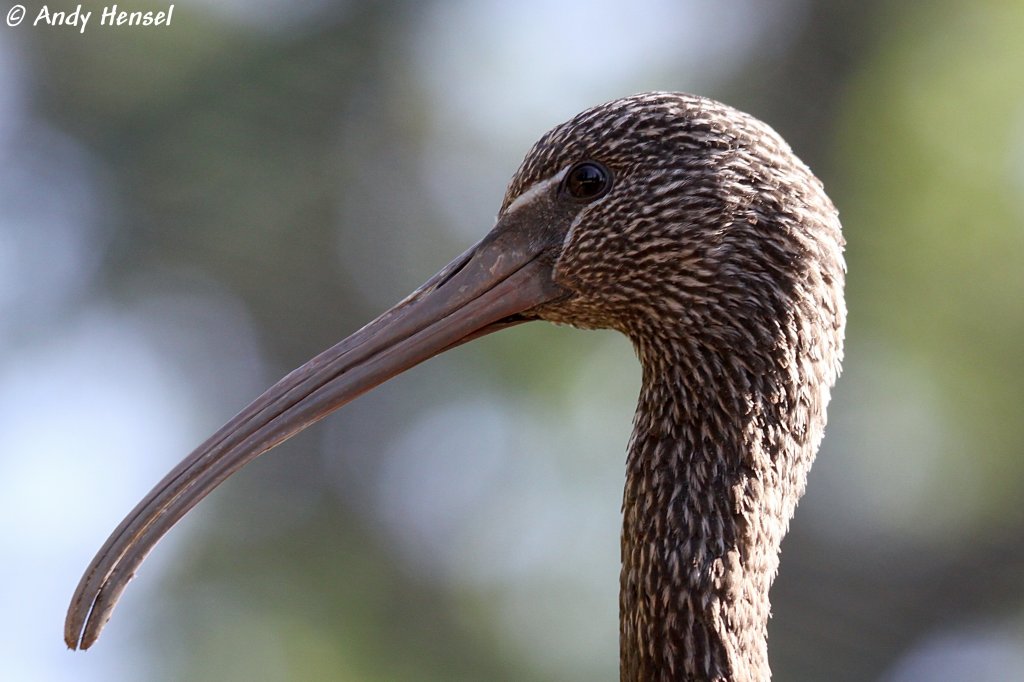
[187, 214]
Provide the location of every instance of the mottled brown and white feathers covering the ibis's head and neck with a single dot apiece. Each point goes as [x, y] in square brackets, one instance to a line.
[719, 254]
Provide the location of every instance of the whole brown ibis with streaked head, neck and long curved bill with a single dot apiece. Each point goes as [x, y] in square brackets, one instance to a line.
[693, 229]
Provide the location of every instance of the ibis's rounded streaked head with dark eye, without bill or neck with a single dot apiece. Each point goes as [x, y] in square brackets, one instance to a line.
[672, 217]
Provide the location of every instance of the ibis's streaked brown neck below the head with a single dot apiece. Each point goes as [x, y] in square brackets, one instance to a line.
[713, 479]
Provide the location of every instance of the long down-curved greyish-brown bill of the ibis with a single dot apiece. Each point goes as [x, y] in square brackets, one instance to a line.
[490, 287]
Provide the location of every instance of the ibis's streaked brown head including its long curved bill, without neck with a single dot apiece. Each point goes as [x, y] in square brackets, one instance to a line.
[665, 217]
